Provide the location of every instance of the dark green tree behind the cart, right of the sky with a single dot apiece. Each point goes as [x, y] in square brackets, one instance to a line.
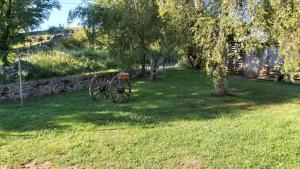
[131, 25]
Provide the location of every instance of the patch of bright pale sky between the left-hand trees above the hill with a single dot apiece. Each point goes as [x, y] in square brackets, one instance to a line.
[60, 17]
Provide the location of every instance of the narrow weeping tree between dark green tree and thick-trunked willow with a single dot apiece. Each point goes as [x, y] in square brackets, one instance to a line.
[180, 17]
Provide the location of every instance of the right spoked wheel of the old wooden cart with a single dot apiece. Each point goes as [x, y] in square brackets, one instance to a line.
[120, 90]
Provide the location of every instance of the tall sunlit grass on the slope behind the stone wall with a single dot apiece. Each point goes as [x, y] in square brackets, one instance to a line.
[59, 63]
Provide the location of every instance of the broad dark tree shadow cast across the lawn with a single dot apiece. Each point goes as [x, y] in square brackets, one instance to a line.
[179, 95]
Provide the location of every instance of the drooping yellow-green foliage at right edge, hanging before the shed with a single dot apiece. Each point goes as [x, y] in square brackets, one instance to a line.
[280, 20]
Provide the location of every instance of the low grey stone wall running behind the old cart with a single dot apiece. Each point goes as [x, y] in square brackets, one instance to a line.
[52, 86]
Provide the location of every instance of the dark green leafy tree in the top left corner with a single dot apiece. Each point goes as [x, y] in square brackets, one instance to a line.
[17, 16]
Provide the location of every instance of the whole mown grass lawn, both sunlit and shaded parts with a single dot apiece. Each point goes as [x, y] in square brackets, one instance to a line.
[172, 123]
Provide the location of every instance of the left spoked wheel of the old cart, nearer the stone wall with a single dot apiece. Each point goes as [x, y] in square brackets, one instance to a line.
[99, 88]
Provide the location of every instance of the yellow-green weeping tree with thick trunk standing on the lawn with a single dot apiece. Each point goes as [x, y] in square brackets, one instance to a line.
[217, 21]
